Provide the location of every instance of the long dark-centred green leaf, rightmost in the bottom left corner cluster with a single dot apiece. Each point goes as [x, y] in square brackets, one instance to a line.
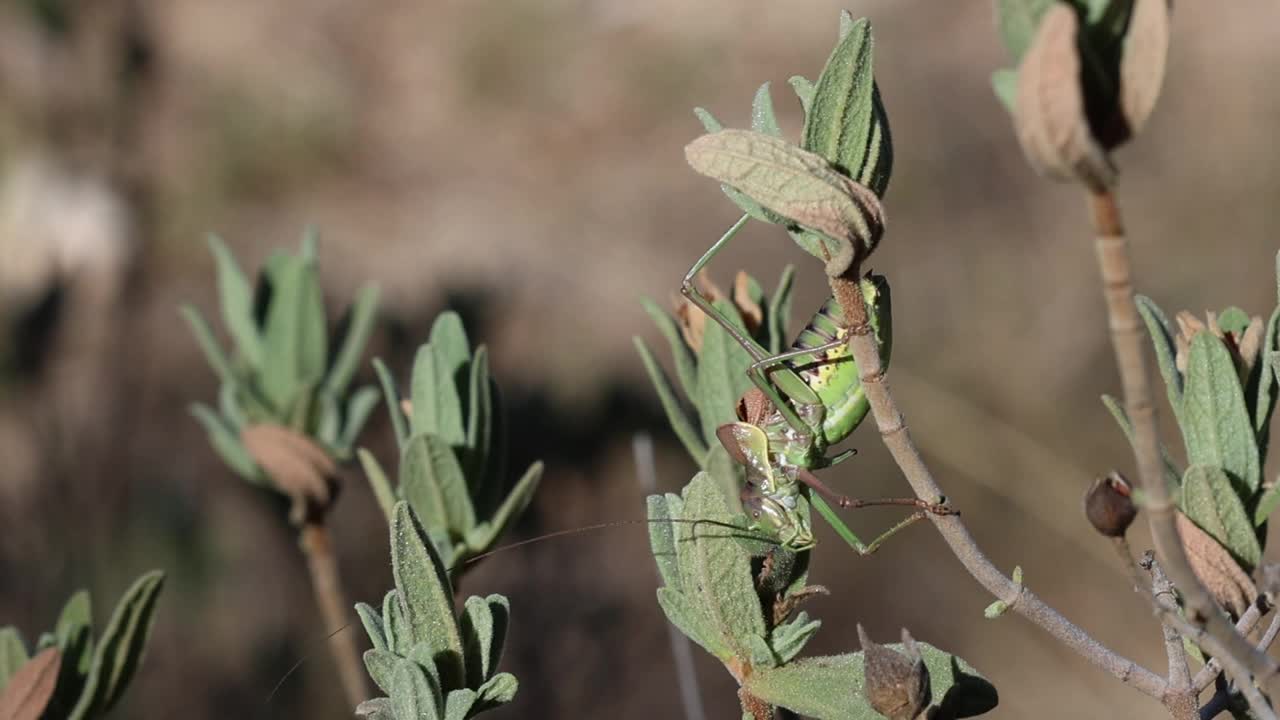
[122, 648]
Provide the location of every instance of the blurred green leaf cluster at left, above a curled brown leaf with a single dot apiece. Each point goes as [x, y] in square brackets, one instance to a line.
[284, 370]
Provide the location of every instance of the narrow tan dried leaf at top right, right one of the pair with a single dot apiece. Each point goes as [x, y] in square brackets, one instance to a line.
[1142, 70]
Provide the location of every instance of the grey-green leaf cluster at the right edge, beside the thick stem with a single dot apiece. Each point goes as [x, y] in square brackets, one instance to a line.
[1222, 385]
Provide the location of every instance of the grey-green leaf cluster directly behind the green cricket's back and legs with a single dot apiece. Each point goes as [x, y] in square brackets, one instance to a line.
[712, 371]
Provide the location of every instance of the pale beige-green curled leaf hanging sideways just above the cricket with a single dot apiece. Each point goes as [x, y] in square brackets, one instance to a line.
[797, 185]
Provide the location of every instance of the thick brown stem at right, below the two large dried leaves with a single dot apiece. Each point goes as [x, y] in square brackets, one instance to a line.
[1127, 339]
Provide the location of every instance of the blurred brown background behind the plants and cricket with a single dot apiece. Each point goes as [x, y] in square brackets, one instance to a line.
[522, 162]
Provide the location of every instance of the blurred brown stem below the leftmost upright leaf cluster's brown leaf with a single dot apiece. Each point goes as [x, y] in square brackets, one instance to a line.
[332, 601]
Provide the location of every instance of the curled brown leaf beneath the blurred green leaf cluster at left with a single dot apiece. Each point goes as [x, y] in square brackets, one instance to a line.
[296, 464]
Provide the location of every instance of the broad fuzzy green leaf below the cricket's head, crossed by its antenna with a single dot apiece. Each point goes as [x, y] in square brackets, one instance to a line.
[712, 562]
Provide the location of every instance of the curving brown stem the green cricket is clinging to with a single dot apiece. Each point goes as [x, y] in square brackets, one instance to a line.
[953, 530]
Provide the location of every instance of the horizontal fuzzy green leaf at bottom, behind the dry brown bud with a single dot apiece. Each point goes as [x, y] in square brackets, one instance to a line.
[834, 687]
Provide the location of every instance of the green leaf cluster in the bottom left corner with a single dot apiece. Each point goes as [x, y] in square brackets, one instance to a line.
[94, 672]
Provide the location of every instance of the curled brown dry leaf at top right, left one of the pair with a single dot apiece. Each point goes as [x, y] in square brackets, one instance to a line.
[1050, 117]
